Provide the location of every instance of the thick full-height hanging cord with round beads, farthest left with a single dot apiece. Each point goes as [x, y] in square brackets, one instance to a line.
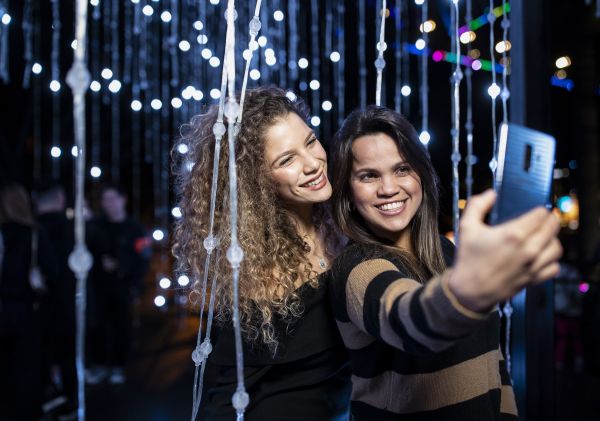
[80, 260]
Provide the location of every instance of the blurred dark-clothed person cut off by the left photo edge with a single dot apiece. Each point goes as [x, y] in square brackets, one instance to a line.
[27, 273]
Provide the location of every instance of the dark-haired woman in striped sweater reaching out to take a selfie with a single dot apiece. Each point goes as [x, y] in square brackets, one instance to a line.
[419, 322]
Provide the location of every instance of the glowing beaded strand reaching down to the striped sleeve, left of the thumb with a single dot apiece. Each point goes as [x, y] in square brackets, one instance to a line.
[455, 132]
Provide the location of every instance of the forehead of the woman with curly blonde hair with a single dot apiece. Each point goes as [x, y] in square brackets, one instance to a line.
[287, 133]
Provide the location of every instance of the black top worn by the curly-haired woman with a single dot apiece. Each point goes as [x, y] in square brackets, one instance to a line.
[307, 379]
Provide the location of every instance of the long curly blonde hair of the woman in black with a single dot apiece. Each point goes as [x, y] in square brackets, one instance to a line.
[275, 256]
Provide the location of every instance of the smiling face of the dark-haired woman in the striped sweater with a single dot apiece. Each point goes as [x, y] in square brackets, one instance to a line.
[385, 190]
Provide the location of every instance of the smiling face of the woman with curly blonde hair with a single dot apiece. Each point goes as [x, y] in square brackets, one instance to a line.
[297, 161]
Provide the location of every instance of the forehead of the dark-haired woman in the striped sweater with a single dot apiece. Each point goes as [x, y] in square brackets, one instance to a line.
[374, 150]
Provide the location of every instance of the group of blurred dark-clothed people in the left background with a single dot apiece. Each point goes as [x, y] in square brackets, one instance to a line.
[37, 298]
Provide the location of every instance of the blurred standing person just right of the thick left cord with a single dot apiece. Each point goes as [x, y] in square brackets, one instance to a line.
[122, 272]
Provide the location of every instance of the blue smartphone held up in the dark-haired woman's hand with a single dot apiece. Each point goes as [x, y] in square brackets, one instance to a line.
[524, 173]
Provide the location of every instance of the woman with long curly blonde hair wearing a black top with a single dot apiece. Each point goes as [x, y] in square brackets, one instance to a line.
[296, 367]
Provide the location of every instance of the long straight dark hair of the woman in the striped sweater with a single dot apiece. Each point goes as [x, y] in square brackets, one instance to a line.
[428, 258]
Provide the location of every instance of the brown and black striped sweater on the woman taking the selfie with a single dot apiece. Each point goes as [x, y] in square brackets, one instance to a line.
[416, 353]
